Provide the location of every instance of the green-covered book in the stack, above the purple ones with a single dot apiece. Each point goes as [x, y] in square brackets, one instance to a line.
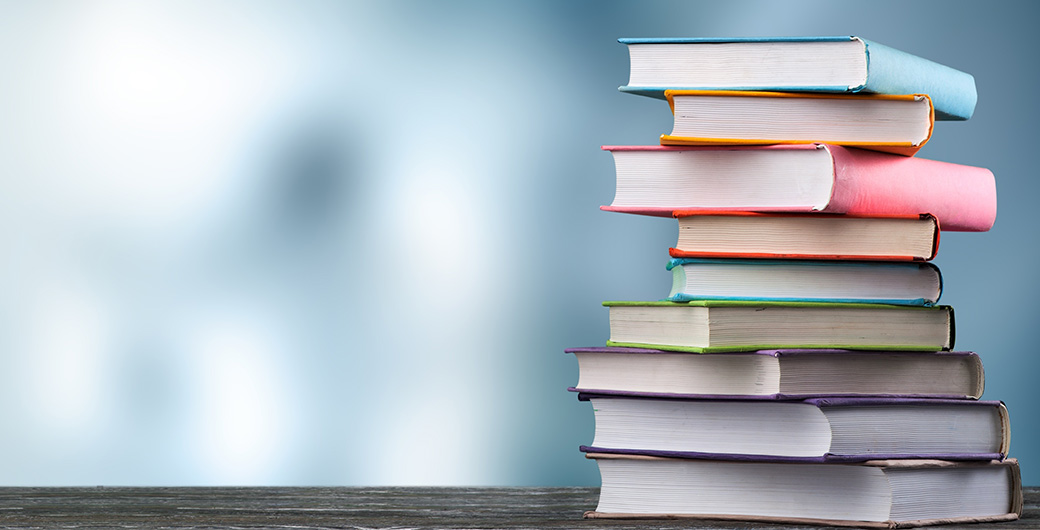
[731, 326]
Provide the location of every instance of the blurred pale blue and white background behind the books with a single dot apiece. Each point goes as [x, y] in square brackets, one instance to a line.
[347, 243]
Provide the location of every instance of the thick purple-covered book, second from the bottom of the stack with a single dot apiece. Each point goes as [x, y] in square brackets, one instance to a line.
[818, 430]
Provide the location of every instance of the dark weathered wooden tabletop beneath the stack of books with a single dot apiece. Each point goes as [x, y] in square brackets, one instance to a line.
[343, 508]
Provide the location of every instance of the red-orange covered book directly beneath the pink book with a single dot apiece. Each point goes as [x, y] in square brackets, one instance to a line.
[805, 236]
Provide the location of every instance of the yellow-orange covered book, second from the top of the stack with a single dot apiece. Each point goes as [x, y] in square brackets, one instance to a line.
[894, 124]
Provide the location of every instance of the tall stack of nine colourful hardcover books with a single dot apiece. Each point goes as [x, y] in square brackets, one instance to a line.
[801, 369]
